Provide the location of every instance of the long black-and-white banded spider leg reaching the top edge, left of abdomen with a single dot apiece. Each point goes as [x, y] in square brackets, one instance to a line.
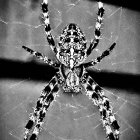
[46, 19]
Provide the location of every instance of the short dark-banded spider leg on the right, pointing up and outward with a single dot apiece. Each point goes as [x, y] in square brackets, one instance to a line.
[99, 58]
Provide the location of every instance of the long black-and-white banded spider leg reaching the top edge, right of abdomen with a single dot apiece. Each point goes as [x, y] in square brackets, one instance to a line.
[97, 31]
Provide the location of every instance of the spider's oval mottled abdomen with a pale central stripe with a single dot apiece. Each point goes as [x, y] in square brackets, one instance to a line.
[71, 50]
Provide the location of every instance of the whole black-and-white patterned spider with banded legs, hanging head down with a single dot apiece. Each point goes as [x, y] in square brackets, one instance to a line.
[71, 52]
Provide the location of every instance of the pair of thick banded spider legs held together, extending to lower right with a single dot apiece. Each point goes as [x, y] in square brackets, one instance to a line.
[96, 94]
